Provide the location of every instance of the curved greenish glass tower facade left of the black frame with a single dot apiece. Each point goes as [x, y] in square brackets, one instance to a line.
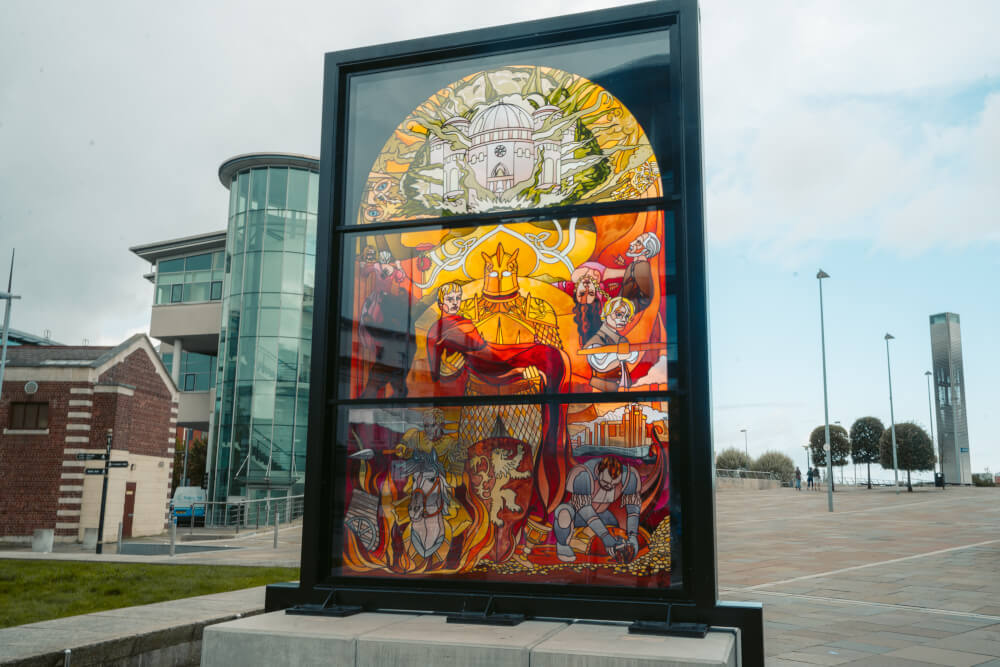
[262, 385]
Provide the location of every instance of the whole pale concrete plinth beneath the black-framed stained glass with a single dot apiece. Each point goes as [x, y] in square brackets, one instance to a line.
[426, 639]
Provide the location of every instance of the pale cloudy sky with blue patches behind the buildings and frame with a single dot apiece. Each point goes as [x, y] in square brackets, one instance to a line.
[861, 137]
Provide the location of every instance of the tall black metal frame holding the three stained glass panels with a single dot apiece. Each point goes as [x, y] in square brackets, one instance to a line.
[695, 600]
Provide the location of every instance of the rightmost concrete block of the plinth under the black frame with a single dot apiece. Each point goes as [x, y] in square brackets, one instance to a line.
[586, 644]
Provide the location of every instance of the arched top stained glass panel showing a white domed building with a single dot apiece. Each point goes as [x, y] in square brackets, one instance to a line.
[510, 138]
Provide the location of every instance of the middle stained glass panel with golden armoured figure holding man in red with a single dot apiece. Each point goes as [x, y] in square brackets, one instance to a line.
[576, 305]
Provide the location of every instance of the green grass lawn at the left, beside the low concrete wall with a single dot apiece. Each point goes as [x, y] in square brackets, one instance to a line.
[36, 590]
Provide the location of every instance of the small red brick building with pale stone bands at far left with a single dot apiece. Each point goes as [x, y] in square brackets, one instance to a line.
[60, 401]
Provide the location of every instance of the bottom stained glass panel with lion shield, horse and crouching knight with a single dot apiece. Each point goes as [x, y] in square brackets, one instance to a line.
[543, 493]
